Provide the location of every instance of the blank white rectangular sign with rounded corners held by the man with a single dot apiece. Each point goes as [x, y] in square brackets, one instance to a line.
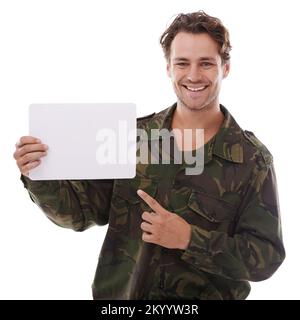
[86, 140]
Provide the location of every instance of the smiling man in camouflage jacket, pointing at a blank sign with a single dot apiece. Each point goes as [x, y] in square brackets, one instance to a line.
[173, 235]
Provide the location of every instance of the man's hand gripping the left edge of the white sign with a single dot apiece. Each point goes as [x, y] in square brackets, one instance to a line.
[29, 151]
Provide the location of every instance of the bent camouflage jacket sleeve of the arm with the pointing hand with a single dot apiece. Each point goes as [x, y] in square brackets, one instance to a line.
[254, 250]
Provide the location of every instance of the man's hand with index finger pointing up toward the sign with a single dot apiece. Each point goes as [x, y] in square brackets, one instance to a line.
[163, 227]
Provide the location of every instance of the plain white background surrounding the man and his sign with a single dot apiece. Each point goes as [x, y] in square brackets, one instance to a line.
[108, 51]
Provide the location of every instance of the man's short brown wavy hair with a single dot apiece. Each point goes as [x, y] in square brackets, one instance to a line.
[197, 22]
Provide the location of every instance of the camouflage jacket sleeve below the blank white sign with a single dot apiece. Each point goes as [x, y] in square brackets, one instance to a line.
[74, 204]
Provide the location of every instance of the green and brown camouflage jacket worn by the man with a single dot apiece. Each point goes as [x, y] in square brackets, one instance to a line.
[232, 208]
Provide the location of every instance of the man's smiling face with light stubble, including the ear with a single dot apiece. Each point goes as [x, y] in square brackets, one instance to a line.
[196, 70]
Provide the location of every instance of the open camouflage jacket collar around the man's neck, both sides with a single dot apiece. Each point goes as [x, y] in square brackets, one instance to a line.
[227, 143]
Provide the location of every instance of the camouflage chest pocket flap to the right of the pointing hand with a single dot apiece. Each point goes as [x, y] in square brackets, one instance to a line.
[209, 212]
